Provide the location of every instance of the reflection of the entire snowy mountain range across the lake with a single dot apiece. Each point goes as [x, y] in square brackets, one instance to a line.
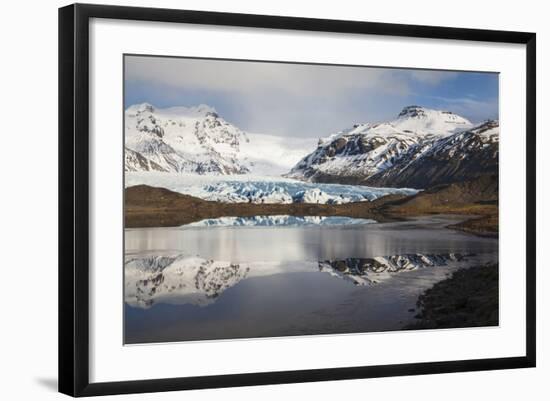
[197, 281]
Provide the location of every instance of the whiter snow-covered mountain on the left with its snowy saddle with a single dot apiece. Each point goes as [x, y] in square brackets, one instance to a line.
[197, 140]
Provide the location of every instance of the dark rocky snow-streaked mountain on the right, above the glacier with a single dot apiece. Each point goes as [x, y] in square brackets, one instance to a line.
[408, 151]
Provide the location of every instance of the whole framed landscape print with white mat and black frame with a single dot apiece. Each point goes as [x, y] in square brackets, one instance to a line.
[249, 199]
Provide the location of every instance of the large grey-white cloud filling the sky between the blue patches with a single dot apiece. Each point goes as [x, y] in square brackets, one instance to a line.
[286, 99]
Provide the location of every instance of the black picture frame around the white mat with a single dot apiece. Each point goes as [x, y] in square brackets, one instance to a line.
[74, 198]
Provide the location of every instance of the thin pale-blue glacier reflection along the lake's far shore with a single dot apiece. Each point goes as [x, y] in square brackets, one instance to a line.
[279, 220]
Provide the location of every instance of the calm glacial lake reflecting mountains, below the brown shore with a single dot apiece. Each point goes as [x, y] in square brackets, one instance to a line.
[242, 278]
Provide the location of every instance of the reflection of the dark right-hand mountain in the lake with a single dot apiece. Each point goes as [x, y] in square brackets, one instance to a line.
[368, 271]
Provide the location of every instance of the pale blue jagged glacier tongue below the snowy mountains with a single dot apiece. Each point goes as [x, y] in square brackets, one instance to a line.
[259, 189]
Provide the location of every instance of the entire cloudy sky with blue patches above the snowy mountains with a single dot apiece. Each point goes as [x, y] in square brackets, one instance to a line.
[304, 99]
